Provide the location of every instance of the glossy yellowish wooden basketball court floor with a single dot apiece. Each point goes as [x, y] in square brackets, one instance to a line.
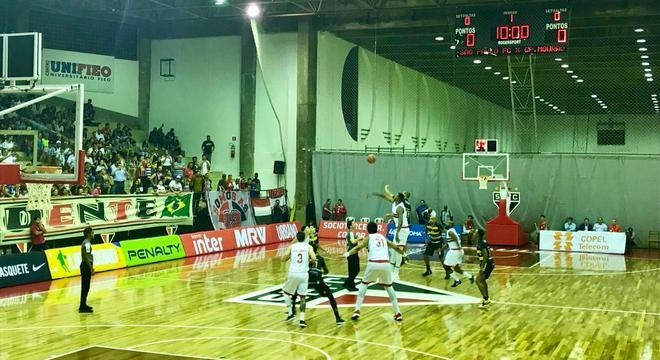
[547, 306]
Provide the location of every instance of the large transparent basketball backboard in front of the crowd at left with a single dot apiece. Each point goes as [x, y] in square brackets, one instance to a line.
[42, 131]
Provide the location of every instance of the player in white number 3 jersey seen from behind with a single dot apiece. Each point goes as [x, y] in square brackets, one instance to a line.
[300, 254]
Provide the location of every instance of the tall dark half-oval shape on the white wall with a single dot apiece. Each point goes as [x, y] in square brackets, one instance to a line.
[349, 92]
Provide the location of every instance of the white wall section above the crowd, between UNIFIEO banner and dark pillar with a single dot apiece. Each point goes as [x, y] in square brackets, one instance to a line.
[204, 98]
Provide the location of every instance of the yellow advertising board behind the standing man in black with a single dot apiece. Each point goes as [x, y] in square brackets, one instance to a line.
[65, 262]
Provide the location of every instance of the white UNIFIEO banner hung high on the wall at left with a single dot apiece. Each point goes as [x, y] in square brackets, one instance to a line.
[96, 72]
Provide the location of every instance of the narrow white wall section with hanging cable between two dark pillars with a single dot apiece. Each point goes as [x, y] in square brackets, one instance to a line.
[278, 57]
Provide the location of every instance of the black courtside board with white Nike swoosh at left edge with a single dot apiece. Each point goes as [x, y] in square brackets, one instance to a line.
[18, 269]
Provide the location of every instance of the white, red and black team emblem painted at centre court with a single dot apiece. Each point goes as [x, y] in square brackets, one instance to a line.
[407, 294]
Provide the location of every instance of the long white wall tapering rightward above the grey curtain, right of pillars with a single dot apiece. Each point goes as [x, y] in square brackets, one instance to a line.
[396, 99]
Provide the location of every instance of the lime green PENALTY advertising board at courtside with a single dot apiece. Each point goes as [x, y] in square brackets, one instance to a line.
[151, 250]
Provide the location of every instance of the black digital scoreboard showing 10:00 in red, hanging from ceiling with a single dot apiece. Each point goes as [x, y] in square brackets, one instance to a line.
[512, 30]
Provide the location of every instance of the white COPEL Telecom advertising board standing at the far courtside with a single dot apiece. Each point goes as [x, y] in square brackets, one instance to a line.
[583, 241]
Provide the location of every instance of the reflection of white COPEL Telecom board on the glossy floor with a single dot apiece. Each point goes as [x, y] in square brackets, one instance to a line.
[583, 261]
